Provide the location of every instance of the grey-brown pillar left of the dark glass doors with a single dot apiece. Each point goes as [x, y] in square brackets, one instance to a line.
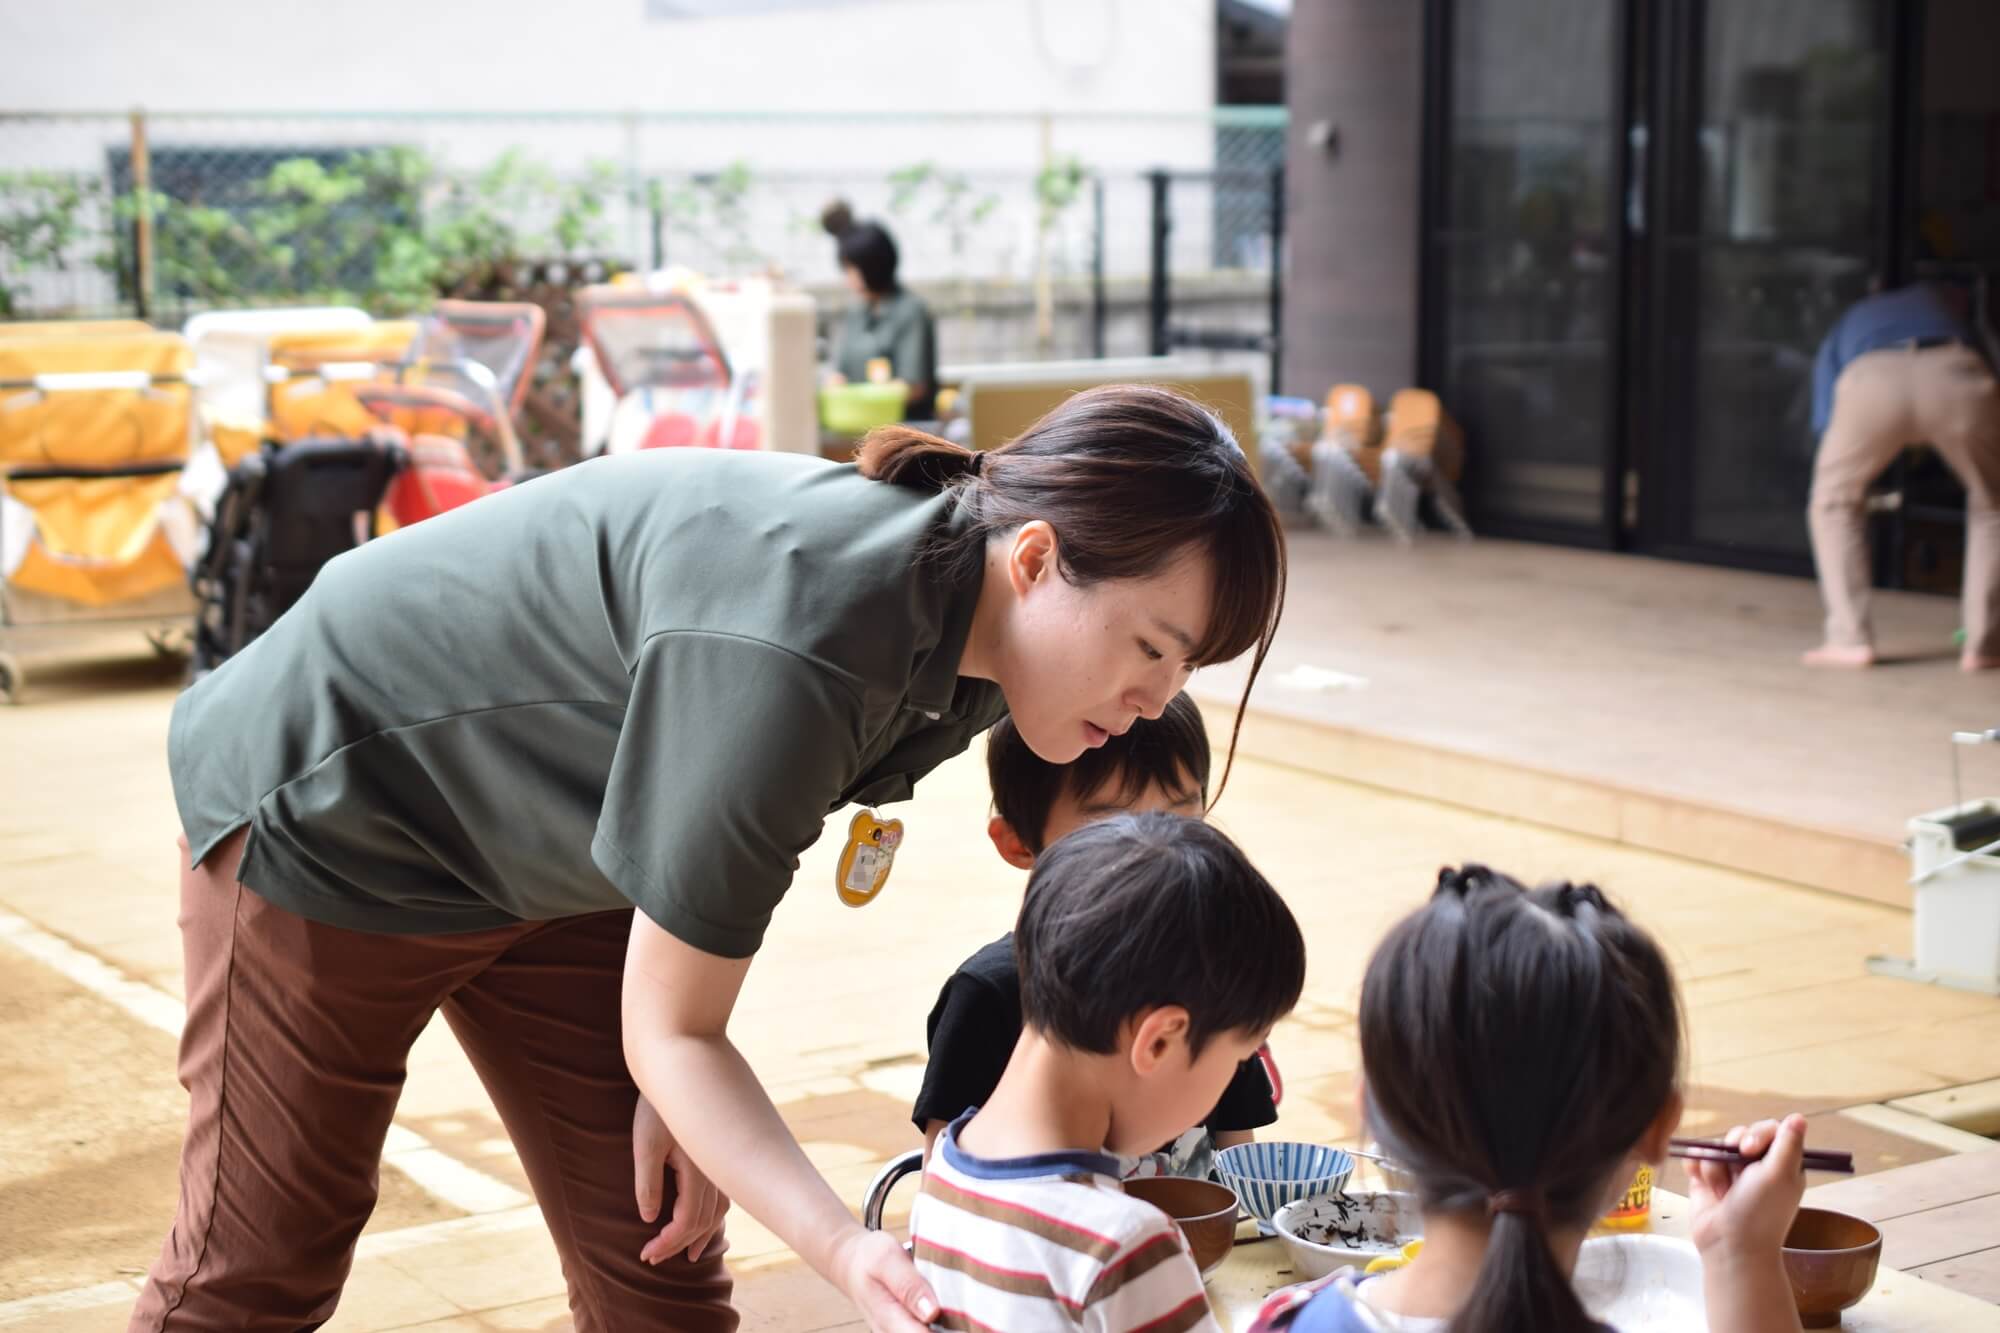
[1355, 67]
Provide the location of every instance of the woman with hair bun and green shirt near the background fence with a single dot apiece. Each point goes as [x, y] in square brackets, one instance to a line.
[889, 323]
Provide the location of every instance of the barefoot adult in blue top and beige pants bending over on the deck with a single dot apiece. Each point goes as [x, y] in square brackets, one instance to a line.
[1903, 369]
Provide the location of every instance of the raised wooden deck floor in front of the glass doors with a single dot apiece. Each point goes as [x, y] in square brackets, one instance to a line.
[1631, 700]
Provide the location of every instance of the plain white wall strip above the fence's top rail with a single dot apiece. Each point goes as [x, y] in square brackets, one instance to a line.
[607, 55]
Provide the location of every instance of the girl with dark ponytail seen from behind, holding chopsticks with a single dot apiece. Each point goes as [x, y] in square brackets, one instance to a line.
[1521, 1058]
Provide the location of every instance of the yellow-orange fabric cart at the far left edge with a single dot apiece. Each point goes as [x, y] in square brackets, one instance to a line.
[95, 433]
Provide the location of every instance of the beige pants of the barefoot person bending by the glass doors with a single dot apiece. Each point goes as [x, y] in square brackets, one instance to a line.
[1883, 403]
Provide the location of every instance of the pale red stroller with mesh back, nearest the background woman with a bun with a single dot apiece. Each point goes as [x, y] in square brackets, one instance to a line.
[669, 373]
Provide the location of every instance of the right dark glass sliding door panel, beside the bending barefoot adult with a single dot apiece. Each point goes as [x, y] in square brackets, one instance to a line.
[1771, 221]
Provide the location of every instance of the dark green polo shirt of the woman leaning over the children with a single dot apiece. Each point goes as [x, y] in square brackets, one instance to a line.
[639, 682]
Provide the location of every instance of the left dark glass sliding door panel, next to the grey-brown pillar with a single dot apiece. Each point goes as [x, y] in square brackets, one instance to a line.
[1523, 253]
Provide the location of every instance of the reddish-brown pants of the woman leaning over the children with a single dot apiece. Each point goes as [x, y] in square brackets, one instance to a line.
[295, 1056]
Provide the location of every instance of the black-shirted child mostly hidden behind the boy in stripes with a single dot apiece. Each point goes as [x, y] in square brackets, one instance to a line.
[1155, 766]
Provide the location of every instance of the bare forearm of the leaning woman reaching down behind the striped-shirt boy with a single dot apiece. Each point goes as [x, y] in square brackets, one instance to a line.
[677, 1008]
